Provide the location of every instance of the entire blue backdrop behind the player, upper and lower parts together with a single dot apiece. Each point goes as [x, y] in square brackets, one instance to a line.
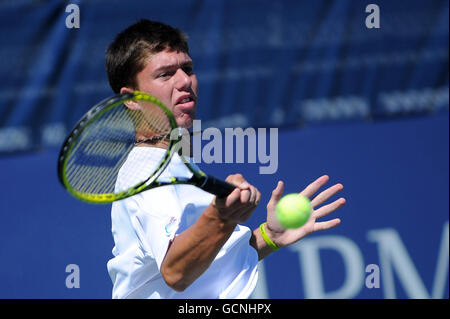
[368, 107]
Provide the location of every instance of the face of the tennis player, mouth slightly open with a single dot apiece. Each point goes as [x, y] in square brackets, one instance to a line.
[169, 77]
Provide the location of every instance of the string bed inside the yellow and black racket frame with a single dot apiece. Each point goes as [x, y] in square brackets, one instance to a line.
[102, 148]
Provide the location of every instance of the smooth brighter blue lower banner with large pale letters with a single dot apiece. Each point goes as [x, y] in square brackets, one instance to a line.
[392, 241]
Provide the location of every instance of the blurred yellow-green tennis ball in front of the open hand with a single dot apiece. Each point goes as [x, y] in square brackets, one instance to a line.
[293, 210]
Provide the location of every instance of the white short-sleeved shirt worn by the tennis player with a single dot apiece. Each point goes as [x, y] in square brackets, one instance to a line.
[143, 226]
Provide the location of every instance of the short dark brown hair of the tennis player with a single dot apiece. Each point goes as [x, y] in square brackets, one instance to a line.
[127, 54]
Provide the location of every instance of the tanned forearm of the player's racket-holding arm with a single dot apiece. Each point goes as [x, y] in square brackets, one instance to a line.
[192, 251]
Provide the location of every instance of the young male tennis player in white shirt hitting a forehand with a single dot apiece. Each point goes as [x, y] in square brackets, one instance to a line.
[179, 241]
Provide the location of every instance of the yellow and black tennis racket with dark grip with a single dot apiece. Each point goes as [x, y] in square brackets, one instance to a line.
[92, 156]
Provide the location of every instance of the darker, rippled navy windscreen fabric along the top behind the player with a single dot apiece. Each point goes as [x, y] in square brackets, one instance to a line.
[259, 63]
